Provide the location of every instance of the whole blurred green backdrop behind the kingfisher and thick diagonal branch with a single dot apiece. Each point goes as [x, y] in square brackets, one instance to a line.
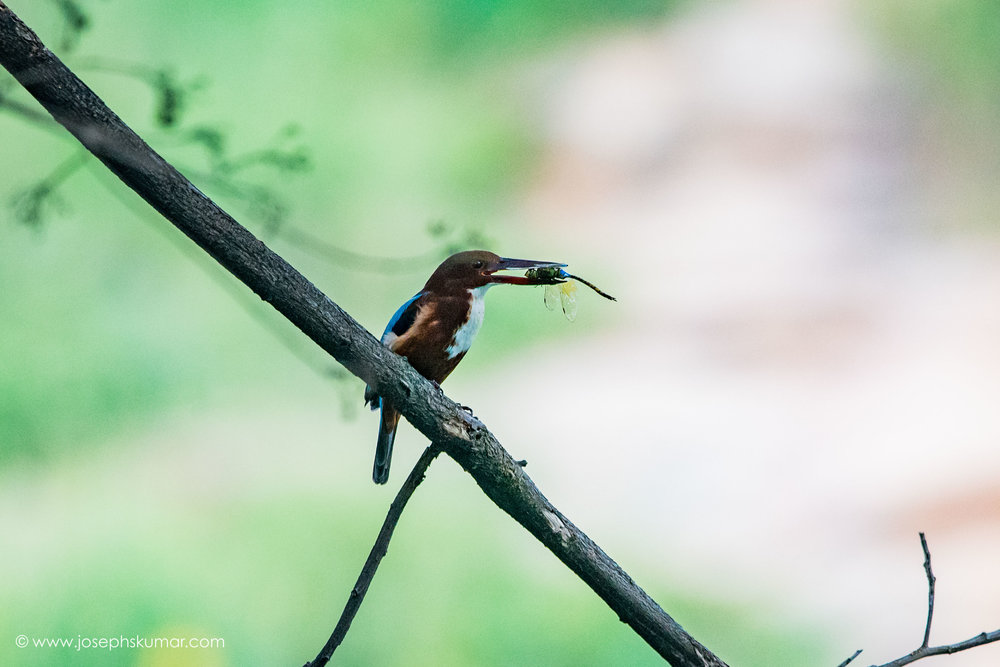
[119, 342]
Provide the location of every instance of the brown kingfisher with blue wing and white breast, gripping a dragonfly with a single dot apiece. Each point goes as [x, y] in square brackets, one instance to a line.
[436, 327]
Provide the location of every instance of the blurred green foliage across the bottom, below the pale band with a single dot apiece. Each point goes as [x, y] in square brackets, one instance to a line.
[461, 584]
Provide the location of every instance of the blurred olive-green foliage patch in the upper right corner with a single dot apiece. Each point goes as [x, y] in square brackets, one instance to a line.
[949, 56]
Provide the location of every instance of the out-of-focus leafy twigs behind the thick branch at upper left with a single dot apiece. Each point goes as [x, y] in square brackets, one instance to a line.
[224, 171]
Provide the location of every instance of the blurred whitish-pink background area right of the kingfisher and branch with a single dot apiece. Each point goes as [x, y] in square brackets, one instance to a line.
[803, 370]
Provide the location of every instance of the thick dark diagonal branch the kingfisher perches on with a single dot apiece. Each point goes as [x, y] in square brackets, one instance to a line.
[440, 419]
